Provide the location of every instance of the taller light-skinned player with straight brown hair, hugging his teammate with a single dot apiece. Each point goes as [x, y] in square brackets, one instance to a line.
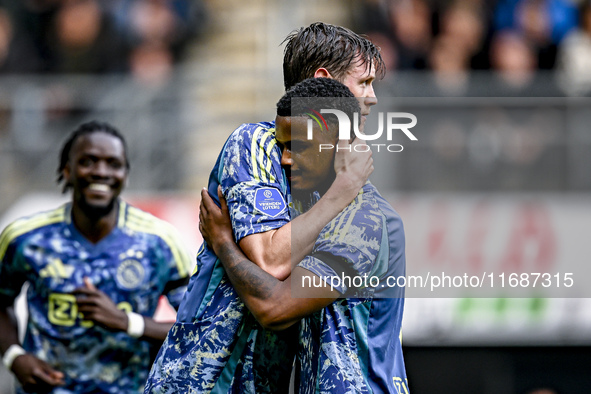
[215, 344]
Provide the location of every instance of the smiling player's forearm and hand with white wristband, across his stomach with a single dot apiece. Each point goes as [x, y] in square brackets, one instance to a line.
[99, 308]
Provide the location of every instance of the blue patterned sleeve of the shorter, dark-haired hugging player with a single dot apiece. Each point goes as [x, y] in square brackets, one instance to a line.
[347, 248]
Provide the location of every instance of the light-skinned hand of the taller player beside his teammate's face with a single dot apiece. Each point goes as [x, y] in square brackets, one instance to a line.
[353, 164]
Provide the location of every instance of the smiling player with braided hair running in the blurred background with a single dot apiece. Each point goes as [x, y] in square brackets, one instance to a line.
[96, 268]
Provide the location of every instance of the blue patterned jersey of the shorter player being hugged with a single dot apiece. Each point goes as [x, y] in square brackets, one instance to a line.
[353, 345]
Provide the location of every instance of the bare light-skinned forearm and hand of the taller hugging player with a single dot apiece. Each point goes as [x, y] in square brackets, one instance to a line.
[278, 251]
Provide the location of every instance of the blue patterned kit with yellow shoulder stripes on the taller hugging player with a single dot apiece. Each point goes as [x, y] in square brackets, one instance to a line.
[216, 345]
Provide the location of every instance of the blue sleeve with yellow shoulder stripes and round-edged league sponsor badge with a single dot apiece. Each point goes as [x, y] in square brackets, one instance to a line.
[252, 181]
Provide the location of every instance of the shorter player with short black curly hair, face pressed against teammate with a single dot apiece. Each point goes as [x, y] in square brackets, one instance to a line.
[350, 319]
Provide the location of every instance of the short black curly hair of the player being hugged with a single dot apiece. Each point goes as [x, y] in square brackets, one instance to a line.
[322, 93]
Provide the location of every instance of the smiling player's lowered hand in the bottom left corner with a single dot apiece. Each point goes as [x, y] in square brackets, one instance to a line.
[35, 375]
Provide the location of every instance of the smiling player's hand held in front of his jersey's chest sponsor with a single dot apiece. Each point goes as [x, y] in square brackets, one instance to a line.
[98, 307]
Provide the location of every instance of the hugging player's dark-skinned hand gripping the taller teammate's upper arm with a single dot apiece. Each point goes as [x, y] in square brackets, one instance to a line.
[214, 222]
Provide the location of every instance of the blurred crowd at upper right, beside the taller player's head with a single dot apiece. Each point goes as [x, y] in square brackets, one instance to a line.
[515, 39]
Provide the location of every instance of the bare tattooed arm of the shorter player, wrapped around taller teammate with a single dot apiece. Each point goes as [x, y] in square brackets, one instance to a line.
[269, 299]
